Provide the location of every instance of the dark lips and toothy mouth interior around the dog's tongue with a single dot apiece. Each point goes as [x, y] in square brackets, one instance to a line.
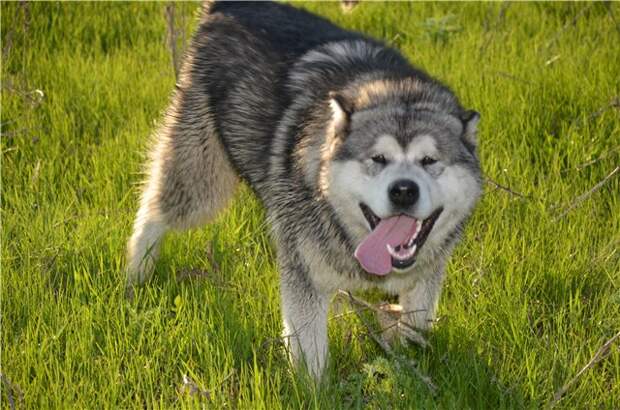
[404, 255]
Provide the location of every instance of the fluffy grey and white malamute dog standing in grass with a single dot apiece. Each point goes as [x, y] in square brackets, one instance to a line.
[367, 166]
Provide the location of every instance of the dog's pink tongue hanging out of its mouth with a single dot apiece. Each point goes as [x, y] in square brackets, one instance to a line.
[372, 253]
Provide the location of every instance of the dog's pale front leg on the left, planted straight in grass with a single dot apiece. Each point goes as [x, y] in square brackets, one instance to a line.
[304, 310]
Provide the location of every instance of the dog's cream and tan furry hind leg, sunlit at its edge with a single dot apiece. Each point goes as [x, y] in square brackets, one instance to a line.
[189, 178]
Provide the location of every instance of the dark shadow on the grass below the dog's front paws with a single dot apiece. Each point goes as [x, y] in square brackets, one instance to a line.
[453, 372]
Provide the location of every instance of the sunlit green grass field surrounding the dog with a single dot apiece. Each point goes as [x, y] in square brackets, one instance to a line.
[533, 291]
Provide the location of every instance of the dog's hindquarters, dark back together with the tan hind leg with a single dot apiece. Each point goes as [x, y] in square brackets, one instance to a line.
[229, 99]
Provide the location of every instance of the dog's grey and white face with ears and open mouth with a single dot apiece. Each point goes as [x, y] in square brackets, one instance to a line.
[401, 181]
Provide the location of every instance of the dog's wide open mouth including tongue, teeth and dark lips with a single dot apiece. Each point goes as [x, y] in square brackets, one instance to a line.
[394, 242]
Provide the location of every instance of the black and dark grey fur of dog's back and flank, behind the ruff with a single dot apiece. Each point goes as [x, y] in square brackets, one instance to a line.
[244, 53]
